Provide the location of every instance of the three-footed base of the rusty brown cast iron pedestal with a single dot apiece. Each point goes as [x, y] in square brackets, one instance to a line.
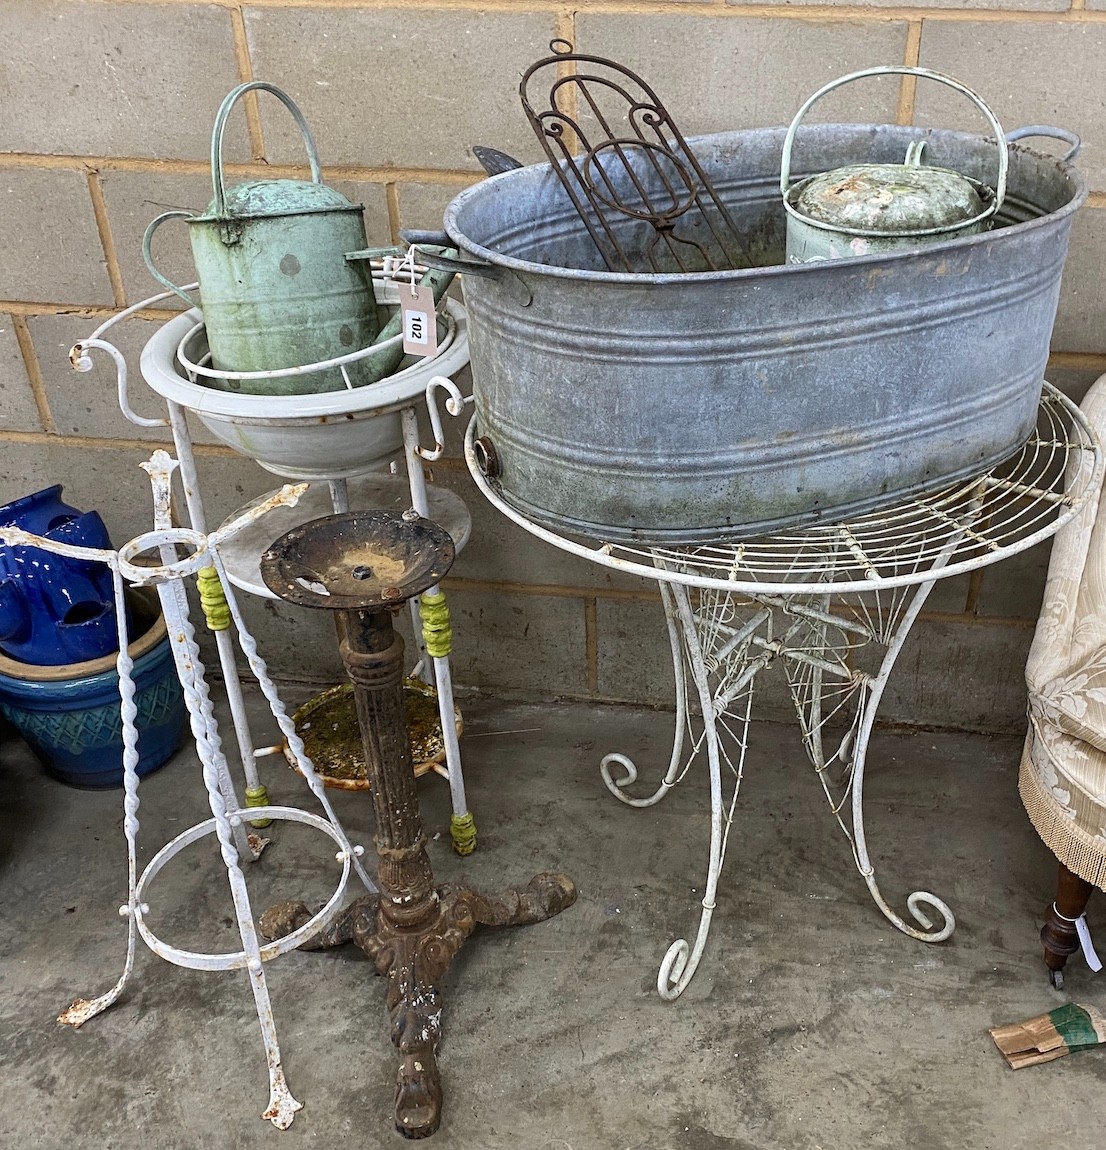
[414, 959]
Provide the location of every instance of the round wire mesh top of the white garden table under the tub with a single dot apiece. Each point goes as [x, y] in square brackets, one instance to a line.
[967, 525]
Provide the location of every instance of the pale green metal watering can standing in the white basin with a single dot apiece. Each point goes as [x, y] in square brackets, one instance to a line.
[283, 272]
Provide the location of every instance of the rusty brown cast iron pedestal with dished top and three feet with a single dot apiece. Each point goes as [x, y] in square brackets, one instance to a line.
[364, 565]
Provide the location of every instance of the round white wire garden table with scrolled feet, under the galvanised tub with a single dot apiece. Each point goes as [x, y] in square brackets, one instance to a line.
[816, 597]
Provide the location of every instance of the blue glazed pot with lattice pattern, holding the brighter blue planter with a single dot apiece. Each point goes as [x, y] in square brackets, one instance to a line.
[72, 719]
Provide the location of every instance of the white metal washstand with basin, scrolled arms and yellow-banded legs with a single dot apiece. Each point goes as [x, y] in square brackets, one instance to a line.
[341, 442]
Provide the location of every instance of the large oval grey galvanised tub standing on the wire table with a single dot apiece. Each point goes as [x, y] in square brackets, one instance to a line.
[695, 408]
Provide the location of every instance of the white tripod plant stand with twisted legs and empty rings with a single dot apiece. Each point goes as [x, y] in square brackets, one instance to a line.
[165, 570]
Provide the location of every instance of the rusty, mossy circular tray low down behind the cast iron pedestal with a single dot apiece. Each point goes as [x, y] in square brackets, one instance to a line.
[328, 725]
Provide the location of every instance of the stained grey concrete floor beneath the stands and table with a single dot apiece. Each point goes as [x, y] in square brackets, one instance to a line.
[811, 1024]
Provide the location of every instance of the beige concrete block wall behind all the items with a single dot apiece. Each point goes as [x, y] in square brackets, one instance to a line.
[109, 106]
